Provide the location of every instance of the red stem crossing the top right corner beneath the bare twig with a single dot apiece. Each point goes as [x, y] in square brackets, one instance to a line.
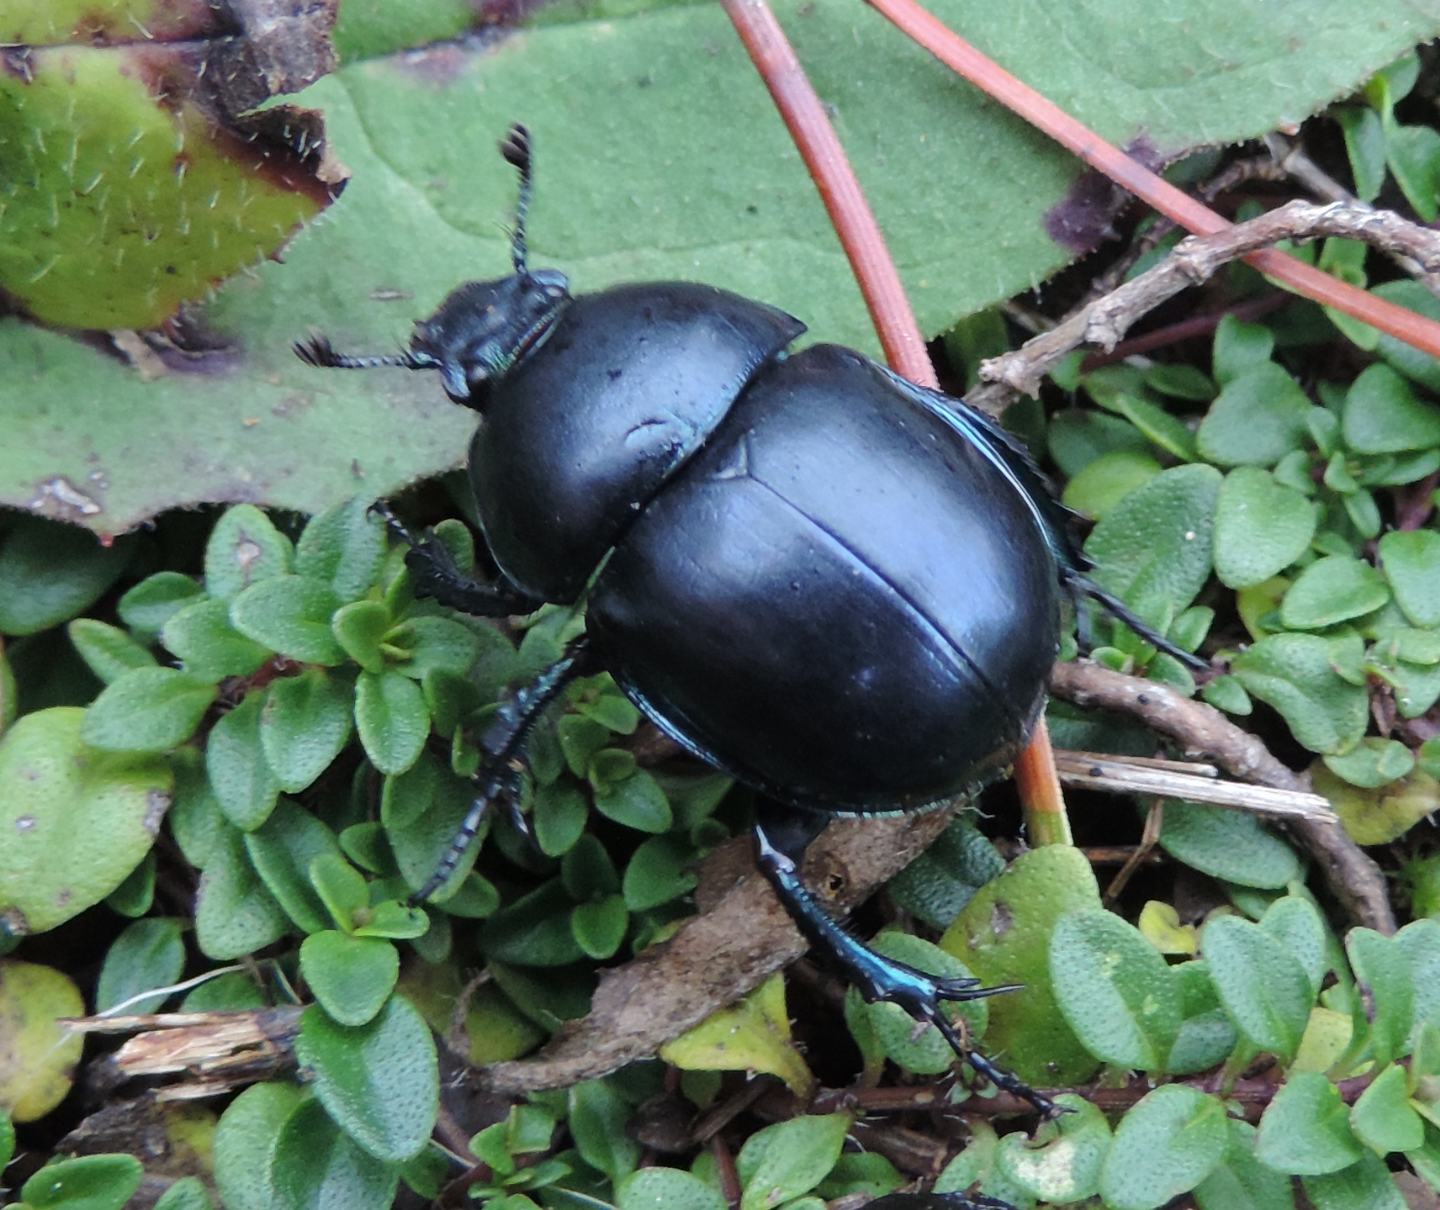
[1177, 205]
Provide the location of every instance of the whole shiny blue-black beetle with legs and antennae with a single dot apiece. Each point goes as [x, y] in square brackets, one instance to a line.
[834, 586]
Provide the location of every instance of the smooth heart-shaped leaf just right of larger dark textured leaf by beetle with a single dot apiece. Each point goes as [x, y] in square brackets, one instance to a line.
[1261, 528]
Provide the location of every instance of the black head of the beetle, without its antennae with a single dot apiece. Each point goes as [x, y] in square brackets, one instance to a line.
[487, 328]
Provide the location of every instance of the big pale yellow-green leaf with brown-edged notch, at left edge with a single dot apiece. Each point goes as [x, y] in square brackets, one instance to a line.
[74, 822]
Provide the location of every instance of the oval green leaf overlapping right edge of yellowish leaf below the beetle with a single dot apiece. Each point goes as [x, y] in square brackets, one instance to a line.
[1115, 990]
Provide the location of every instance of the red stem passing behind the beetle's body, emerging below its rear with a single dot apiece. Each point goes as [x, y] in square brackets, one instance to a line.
[804, 115]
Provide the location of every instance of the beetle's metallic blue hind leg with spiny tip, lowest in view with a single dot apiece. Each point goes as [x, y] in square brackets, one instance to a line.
[875, 976]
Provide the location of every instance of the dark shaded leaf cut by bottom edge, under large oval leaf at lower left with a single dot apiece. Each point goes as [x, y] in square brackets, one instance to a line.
[316, 1165]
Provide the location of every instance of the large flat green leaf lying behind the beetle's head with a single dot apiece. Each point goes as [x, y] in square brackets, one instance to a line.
[639, 181]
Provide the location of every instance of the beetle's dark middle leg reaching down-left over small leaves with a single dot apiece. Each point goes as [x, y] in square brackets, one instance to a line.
[505, 743]
